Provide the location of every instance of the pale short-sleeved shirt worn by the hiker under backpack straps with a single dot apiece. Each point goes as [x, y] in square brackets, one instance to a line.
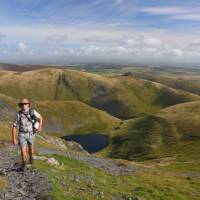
[24, 124]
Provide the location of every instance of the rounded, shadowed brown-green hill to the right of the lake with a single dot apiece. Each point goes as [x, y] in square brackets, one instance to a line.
[174, 131]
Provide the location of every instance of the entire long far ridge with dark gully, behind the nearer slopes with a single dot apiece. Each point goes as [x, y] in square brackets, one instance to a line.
[121, 96]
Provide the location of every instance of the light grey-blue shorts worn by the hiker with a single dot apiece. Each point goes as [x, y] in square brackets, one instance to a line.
[26, 138]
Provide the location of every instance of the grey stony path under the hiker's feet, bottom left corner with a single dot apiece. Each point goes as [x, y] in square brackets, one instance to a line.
[31, 185]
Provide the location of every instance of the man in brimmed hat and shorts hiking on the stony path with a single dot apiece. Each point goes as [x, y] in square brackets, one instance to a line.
[29, 122]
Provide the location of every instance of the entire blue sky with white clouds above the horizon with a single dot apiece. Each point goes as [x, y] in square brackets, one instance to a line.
[65, 31]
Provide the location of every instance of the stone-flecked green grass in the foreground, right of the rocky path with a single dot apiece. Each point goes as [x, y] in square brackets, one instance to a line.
[77, 180]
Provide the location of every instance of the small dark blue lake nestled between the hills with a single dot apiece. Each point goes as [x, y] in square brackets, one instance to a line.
[90, 142]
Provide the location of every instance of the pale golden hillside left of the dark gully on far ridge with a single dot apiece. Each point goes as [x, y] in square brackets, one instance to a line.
[38, 84]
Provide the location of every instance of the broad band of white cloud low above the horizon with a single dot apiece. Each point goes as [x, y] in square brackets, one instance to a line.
[98, 43]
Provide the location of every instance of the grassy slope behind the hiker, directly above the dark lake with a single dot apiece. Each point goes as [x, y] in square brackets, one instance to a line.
[62, 117]
